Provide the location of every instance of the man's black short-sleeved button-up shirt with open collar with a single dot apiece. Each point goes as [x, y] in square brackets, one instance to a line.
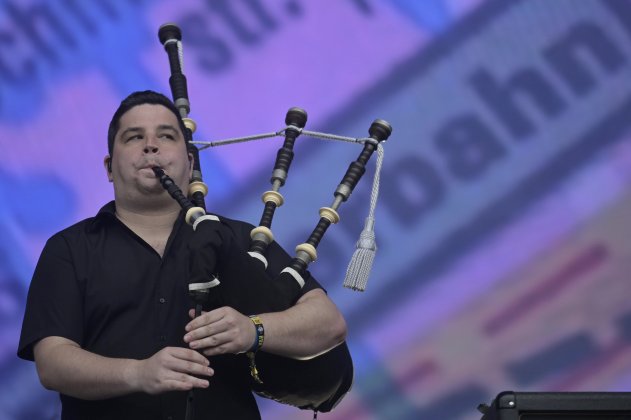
[100, 285]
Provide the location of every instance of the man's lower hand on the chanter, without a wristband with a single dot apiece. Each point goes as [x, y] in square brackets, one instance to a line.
[172, 369]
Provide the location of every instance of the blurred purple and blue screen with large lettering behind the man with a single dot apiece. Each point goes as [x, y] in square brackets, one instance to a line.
[504, 243]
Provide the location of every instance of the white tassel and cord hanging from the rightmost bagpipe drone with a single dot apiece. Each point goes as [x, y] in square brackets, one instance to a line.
[360, 265]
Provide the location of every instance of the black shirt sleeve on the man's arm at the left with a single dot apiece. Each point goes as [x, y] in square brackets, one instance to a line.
[54, 305]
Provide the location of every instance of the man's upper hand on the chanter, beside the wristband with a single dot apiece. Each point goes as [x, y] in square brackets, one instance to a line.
[220, 331]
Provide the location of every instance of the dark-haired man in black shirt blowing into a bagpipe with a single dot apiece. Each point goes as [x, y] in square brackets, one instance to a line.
[107, 320]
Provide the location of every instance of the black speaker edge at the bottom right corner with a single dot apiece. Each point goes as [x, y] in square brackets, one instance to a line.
[509, 405]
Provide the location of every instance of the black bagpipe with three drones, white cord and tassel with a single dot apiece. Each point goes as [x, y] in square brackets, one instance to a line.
[318, 383]
